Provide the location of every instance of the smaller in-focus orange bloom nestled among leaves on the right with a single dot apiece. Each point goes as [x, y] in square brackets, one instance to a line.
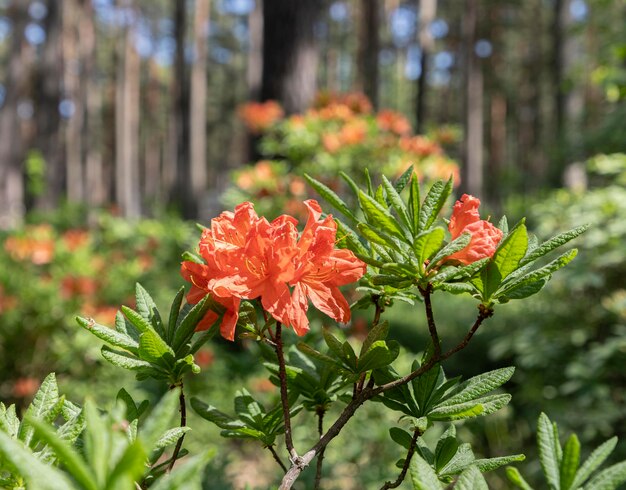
[484, 236]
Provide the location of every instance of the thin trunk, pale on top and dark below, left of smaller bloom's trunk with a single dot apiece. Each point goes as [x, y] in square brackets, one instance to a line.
[427, 12]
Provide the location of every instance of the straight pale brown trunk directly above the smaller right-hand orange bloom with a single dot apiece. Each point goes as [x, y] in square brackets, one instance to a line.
[472, 171]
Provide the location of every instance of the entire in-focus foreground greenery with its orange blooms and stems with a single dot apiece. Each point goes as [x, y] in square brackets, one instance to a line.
[255, 279]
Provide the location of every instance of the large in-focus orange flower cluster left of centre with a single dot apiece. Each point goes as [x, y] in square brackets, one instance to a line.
[247, 257]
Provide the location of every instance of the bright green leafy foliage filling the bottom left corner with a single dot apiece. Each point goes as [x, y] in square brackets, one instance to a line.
[61, 445]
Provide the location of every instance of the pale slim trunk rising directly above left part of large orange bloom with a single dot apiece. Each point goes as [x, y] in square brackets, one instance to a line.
[198, 97]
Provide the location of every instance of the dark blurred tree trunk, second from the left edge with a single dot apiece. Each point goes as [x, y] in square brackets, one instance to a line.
[48, 77]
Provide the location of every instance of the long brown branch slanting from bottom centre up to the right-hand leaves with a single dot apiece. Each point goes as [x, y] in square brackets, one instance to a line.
[370, 392]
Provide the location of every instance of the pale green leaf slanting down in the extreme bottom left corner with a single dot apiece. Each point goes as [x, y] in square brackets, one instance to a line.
[38, 475]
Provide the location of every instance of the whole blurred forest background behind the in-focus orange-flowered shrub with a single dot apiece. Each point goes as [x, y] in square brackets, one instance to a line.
[119, 119]
